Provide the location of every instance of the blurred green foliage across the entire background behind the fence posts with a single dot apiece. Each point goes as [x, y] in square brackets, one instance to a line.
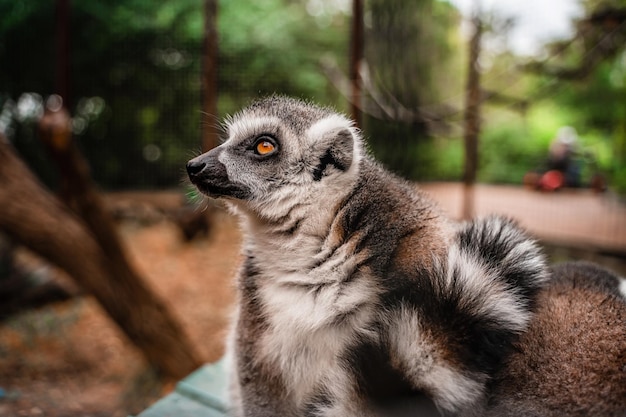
[135, 85]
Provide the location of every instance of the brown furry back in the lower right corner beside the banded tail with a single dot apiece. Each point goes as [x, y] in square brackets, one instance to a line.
[572, 360]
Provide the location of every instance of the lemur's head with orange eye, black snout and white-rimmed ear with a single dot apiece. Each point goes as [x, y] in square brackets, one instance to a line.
[279, 149]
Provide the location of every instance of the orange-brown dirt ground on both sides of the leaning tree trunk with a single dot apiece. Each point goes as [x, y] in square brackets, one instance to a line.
[69, 360]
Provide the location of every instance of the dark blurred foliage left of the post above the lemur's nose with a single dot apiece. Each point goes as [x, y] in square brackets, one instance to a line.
[133, 83]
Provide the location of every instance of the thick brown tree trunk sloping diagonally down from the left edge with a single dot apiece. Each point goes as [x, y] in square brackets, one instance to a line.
[40, 222]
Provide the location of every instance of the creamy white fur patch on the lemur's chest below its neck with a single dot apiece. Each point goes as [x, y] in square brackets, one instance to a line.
[313, 318]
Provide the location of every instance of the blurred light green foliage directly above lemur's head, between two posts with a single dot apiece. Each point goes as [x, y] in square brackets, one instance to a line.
[275, 46]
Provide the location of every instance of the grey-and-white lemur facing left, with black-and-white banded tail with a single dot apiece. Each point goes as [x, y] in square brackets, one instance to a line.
[356, 293]
